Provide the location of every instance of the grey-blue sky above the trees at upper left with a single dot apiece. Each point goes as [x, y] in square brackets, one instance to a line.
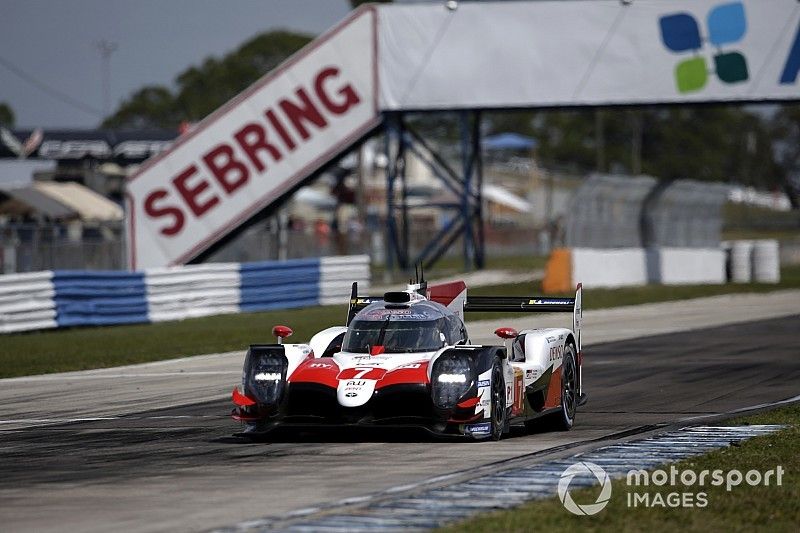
[51, 70]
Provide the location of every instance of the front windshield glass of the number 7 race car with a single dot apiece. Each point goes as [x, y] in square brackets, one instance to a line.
[396, 336]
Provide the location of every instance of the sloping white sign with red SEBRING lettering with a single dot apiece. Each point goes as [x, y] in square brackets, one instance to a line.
[255, 149]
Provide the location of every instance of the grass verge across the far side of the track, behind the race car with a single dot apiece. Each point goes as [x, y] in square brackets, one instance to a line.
[50, 351]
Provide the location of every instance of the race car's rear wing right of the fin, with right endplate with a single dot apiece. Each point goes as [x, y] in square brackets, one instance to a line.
[531, 304]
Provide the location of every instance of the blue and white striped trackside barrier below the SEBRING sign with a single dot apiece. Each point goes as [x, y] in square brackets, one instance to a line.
[42, 300]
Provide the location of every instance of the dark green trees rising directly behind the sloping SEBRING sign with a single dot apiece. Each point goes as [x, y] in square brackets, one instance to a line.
[202, 89]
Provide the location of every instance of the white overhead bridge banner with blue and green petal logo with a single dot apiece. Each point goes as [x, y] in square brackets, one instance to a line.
[594, 52]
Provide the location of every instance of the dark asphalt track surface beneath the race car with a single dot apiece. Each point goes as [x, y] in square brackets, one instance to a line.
[178, 468]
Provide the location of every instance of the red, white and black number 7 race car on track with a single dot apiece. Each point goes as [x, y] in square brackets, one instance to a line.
[405, 360]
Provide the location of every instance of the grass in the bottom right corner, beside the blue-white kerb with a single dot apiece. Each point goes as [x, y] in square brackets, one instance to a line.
[744, 508]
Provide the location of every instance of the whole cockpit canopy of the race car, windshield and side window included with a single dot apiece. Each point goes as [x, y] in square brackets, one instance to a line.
[420, 327]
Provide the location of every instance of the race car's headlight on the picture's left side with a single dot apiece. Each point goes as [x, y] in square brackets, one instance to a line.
[265, 373]
